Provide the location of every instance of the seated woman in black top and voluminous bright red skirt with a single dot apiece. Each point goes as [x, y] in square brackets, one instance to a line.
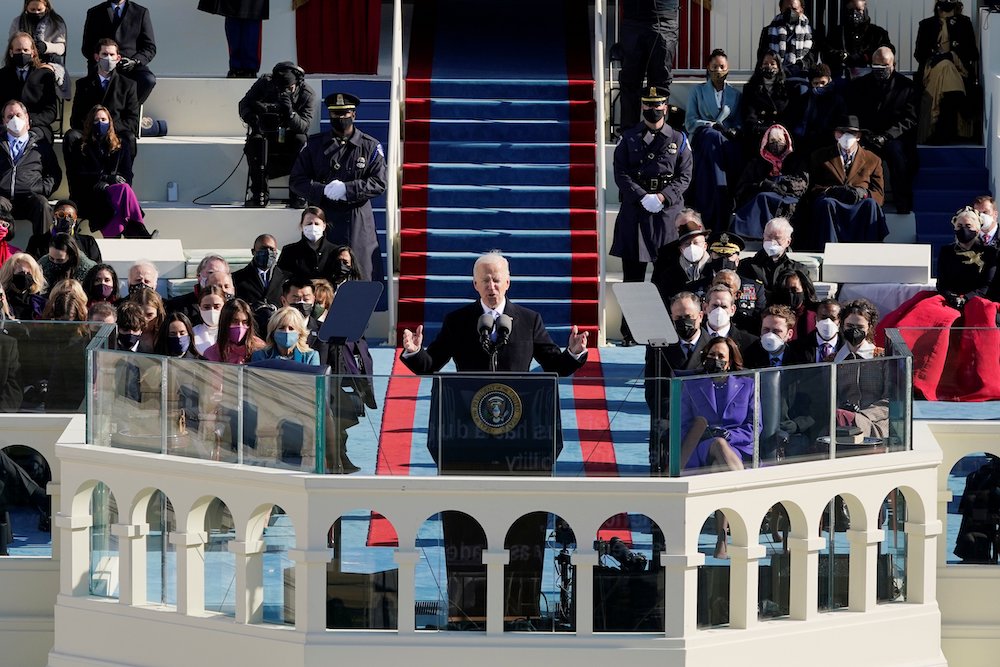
[950, 365]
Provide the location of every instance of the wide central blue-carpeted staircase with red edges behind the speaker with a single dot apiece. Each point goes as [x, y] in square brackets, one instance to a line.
[499, 154]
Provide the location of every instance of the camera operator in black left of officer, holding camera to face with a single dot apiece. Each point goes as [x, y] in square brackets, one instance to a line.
[278, 109]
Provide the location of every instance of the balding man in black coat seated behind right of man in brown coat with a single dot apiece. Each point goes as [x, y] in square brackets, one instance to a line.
[886, 104]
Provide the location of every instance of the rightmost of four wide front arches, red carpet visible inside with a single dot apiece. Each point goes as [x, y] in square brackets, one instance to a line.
[628, 580]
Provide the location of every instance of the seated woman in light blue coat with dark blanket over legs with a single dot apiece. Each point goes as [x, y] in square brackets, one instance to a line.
[713, 122]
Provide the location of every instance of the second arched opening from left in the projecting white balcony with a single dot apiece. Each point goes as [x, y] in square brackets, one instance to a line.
[161, 554]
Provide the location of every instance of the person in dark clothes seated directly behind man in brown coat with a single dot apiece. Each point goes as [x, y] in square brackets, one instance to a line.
[813, 115]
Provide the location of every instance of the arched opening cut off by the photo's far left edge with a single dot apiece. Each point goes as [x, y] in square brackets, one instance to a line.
[25, 508]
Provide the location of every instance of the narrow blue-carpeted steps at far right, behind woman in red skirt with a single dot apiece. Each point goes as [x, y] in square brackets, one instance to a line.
[950, 177]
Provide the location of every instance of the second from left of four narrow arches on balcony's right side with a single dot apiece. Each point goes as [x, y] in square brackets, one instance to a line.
[775, 568]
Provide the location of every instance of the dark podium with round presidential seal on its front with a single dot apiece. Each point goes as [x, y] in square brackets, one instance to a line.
[495, 424]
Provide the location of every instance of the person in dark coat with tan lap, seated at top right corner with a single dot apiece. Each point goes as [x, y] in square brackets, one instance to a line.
[948, 61]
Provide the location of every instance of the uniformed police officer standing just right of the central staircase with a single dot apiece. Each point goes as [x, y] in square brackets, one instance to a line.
[652, 171]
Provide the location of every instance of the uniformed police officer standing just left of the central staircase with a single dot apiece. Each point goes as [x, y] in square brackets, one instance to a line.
[341, 172]
